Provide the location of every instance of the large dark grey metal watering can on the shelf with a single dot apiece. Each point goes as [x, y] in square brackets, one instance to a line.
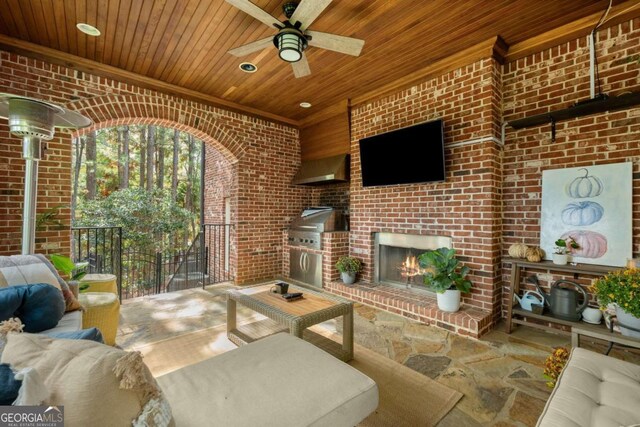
[563, 300]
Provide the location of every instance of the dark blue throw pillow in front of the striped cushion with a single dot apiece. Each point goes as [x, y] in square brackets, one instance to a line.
[42, 307]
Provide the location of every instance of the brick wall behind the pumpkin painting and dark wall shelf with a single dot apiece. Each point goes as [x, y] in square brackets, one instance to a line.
[555, 79]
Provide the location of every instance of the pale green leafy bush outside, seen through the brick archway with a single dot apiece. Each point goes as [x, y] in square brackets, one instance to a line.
[146, 218]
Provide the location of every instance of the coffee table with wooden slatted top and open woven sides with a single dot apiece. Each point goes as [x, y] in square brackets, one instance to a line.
[295, 316]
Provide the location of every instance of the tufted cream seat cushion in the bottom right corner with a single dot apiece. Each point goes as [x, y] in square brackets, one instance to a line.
[594, 390]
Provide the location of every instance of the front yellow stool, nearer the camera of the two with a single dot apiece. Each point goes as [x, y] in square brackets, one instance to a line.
[102, 311]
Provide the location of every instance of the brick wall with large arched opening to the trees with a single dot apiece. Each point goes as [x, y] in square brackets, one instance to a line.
[265, 156]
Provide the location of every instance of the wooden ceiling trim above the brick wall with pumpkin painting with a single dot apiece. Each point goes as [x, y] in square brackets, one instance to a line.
[582, 27]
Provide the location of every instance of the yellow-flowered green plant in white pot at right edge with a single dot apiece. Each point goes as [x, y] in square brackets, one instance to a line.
[620, 287]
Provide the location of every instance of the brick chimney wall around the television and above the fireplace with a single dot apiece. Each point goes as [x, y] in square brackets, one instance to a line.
[467, 205]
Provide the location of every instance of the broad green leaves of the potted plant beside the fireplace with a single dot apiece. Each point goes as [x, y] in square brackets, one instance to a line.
[444, 271]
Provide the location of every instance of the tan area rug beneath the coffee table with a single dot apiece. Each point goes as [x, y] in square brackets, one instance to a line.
[407, 398]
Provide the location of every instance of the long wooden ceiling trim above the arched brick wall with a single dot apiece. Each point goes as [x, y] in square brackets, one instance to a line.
[53, 56]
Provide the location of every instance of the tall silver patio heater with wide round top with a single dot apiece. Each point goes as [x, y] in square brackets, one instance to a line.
[34, 121]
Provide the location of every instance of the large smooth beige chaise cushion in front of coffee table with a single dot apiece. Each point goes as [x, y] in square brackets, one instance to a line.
[276, 381]
